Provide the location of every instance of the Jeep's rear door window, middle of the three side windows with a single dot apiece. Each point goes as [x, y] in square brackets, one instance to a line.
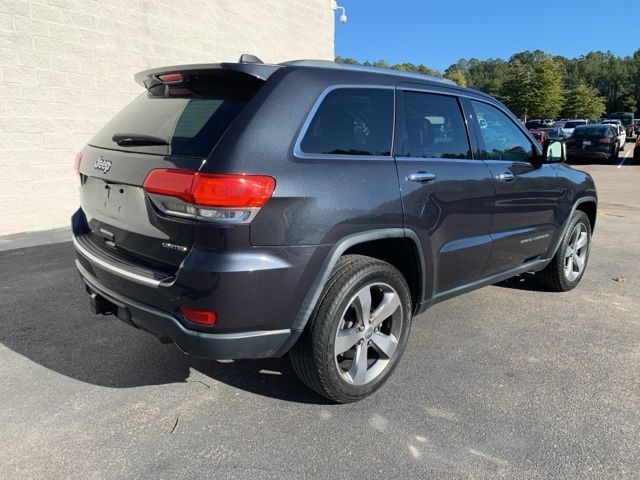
[433, 127]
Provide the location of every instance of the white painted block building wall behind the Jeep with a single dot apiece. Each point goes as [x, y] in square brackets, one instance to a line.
[66, 67]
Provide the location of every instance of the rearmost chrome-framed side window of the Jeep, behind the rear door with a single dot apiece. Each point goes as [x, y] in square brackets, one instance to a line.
[352, 121]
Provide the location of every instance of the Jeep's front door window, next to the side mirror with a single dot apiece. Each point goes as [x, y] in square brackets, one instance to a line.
[503, 140]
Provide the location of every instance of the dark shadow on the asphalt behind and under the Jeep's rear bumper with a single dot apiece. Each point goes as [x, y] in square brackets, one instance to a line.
[44, 316]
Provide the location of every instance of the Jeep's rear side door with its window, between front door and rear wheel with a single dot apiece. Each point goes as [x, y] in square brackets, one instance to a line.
[447, 196]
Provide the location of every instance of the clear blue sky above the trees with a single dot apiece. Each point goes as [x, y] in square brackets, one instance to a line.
[439, 33]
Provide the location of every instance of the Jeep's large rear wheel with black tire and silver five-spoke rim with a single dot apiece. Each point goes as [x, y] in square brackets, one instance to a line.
[313, 357]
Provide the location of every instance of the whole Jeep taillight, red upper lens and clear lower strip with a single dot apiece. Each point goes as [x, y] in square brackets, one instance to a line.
[229, 198]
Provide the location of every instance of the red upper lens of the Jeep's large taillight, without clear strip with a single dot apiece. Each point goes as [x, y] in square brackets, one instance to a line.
[211, 190]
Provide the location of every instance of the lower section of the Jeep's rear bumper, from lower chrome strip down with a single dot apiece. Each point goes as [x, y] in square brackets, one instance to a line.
[256, 344]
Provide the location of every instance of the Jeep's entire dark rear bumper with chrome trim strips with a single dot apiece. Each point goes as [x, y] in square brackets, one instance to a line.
[256, 293]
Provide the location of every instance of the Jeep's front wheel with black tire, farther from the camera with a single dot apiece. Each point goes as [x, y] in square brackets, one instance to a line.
[554, 276]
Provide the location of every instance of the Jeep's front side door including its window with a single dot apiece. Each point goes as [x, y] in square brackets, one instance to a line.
[525, 213]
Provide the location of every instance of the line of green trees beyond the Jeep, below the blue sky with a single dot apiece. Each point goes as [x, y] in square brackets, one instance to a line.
[535, 84]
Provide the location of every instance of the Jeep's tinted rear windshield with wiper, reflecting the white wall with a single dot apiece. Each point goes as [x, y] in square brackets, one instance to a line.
[185, 119]
